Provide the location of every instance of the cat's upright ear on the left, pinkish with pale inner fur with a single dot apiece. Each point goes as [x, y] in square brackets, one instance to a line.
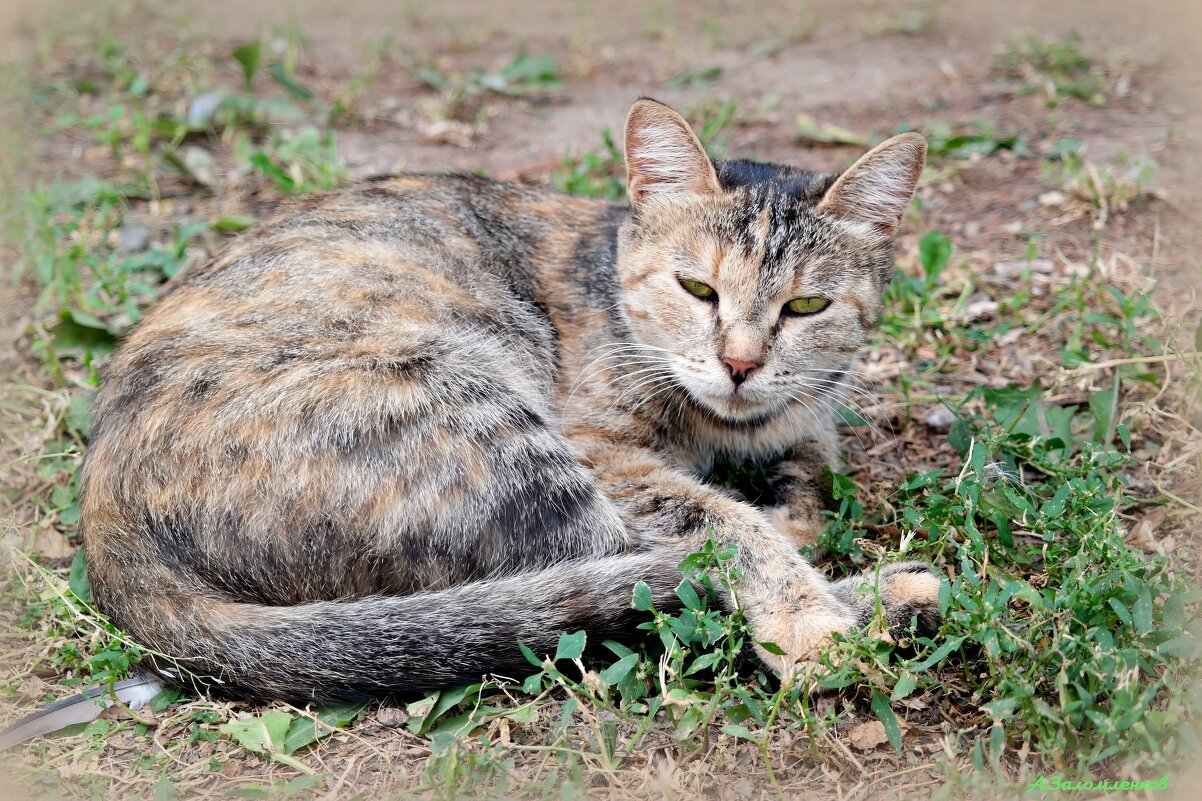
[664, 157]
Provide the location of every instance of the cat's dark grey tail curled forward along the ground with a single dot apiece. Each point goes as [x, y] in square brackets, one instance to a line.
[397, 645]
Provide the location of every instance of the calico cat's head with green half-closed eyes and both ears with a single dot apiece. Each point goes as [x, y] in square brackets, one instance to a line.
[754, 284]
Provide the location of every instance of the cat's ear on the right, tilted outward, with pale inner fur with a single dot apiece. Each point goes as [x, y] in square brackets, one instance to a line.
[879, 187]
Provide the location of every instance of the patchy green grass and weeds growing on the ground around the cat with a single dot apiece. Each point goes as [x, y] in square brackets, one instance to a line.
[1069, 646]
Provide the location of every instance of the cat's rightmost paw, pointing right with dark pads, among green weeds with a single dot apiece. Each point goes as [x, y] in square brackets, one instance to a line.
[909, 598]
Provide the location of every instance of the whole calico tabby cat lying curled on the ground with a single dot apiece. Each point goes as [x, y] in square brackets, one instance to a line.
[398, 429]
